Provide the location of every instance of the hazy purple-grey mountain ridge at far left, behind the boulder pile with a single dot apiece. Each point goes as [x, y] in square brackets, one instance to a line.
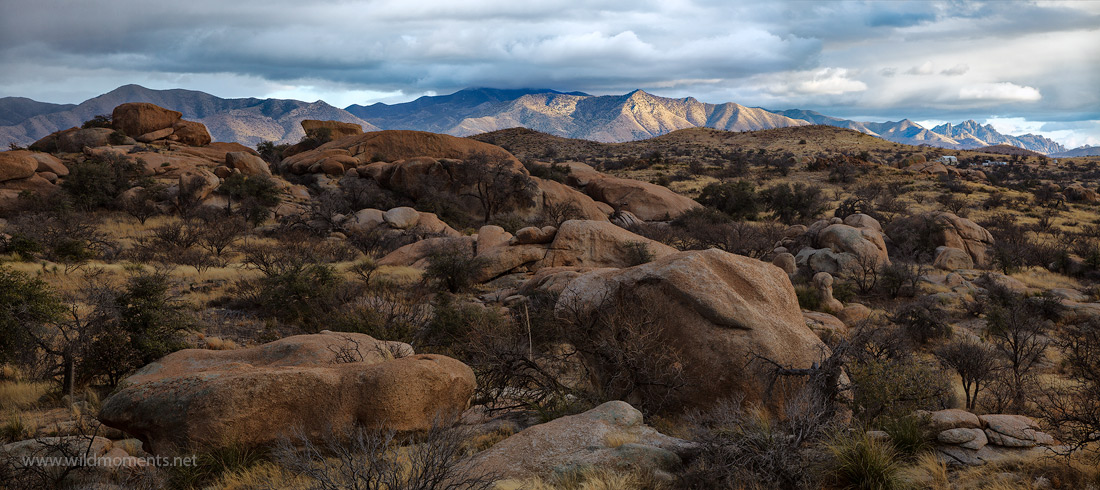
[247, 122]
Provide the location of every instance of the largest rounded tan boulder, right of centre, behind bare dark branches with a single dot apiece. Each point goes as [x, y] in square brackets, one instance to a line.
[721, 312]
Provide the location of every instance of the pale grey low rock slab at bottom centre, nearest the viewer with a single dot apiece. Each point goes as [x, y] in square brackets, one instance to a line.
[610, 437]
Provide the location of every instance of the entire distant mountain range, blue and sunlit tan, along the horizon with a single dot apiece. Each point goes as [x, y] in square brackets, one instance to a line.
[629, 117]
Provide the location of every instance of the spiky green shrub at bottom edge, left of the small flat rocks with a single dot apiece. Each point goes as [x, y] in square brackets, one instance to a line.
[861, 462]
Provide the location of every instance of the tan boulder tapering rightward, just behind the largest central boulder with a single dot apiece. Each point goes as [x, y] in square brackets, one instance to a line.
[600, 245]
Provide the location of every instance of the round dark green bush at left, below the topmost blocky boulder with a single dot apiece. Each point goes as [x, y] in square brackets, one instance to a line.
[97, 182]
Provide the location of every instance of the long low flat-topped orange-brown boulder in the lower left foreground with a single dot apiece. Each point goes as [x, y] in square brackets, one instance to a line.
[204, 399]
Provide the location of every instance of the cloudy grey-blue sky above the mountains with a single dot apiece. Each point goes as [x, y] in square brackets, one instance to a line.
[1024, 67]
